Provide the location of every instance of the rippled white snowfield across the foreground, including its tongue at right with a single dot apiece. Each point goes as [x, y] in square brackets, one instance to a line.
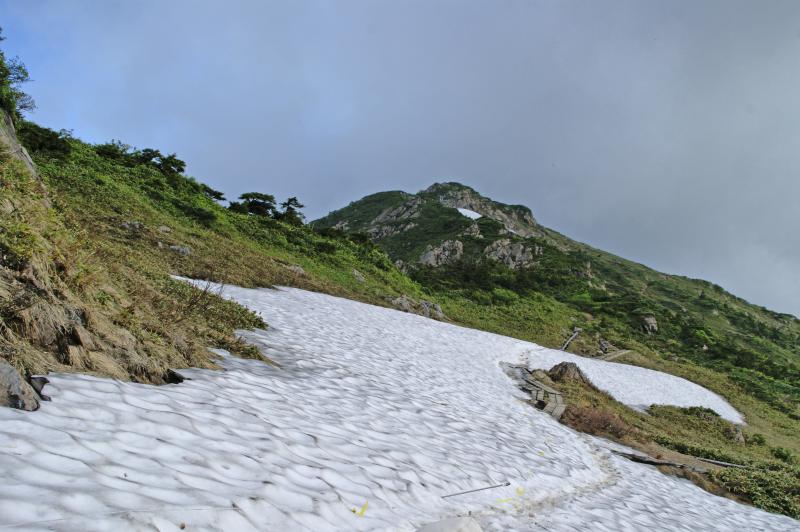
[373, 417]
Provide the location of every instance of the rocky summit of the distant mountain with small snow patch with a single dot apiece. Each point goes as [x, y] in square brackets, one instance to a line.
[443, 224]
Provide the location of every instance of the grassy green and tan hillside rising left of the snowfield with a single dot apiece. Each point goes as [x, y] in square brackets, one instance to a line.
[103, 239]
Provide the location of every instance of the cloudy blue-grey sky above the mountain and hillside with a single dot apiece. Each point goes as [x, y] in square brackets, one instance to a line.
[667, 132]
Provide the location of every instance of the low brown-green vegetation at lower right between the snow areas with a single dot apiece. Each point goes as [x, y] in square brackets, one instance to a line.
[771, 479]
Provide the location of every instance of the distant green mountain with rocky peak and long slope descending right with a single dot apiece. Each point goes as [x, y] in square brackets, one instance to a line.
[505, 260]
